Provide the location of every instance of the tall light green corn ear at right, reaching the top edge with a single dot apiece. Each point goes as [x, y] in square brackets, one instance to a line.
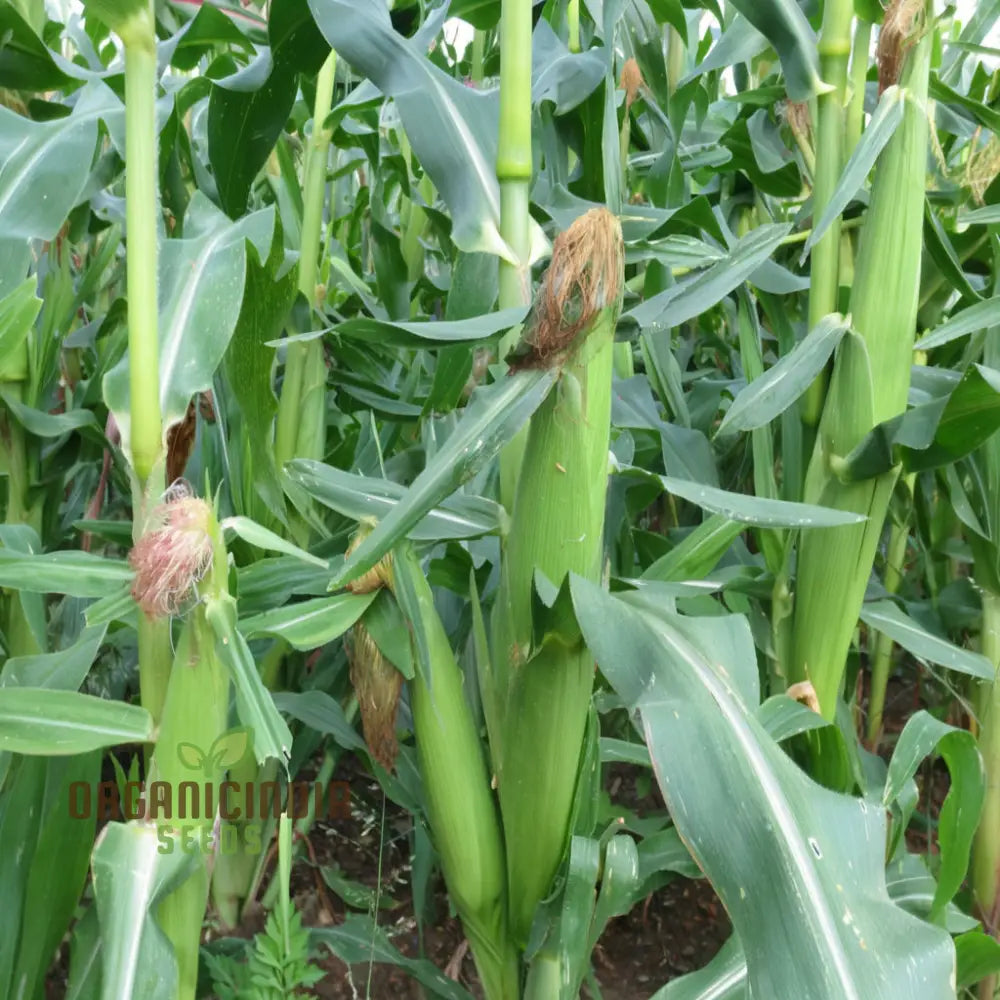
[834, 564]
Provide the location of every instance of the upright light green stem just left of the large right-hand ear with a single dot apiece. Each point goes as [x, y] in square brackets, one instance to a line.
[834, 52]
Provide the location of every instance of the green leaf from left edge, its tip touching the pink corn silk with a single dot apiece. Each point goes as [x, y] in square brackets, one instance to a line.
[79, 574]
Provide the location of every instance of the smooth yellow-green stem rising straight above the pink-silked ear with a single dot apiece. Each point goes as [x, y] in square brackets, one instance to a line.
[141, 209]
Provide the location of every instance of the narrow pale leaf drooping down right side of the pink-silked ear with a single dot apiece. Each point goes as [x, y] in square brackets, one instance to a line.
[254, 704]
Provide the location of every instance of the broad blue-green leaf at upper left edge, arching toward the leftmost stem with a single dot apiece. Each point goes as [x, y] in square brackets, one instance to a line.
[44, 165]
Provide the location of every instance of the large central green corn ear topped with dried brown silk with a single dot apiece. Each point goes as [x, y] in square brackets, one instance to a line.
[557, 528]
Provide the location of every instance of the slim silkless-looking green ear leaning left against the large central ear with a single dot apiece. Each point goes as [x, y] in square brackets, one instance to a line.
[460, 806]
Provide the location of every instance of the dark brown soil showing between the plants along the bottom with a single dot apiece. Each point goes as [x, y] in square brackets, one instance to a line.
[677, 929]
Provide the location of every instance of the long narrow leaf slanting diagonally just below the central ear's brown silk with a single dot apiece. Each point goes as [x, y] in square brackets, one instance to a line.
[492, 417]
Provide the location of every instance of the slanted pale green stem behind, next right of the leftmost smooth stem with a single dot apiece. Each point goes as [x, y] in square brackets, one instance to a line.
[295, 427]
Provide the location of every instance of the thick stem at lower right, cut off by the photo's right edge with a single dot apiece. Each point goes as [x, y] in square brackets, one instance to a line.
[986, 850]
